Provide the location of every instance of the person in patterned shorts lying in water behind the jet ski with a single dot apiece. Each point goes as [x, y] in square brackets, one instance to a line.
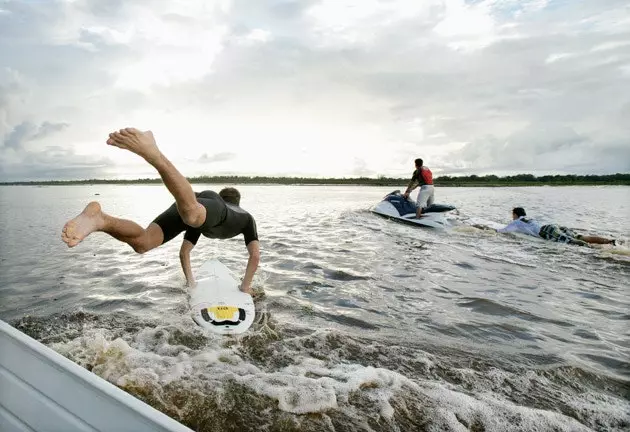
[524, 225]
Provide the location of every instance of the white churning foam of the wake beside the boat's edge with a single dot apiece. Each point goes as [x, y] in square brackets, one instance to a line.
[315, 386]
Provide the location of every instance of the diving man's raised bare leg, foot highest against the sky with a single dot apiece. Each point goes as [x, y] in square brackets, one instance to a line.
[143, 144]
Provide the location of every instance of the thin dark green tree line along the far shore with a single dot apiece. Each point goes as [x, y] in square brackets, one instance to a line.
[473, 180]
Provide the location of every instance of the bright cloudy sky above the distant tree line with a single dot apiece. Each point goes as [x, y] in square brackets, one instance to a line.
[323, 88]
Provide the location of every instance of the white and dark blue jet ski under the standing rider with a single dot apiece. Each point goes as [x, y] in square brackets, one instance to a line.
[395, 206]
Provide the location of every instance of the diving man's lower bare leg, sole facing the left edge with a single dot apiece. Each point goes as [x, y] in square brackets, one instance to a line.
[92, 219]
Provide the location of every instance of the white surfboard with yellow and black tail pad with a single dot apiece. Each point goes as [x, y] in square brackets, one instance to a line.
[217, 303]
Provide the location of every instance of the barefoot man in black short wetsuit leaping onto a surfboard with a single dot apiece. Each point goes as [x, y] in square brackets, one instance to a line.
[208, 213]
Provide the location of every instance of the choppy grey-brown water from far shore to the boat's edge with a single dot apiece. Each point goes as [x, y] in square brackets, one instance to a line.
[366, 325]
